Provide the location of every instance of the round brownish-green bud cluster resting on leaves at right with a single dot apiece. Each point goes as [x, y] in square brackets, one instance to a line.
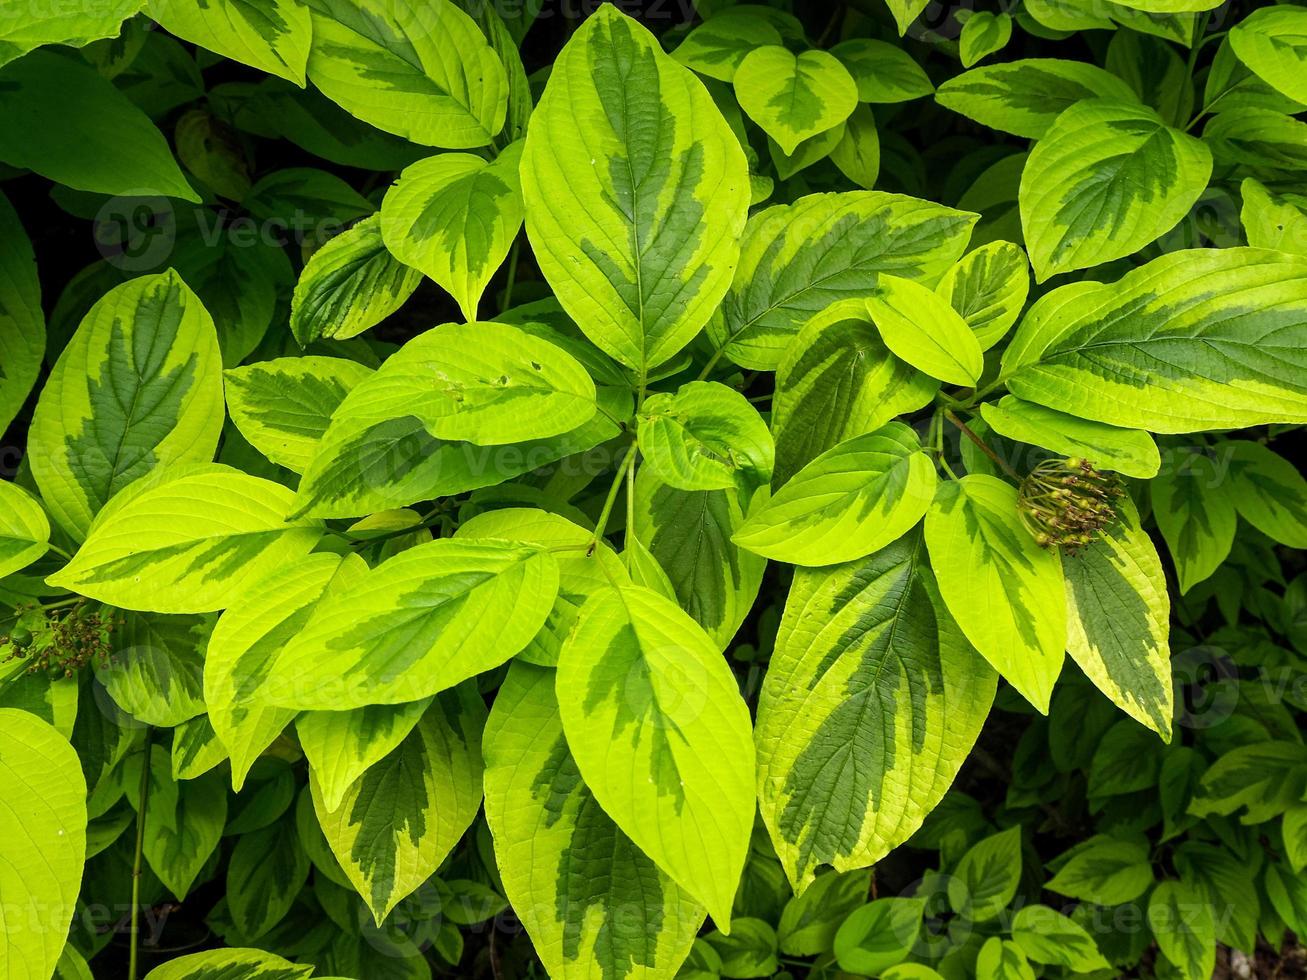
[1067, 504]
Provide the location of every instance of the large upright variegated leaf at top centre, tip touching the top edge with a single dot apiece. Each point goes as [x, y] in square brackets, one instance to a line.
[636, 193]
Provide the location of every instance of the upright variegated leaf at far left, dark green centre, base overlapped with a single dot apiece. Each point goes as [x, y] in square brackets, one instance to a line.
[139, 386]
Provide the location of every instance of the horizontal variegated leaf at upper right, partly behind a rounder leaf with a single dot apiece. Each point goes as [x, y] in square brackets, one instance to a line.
[1027, 97]
